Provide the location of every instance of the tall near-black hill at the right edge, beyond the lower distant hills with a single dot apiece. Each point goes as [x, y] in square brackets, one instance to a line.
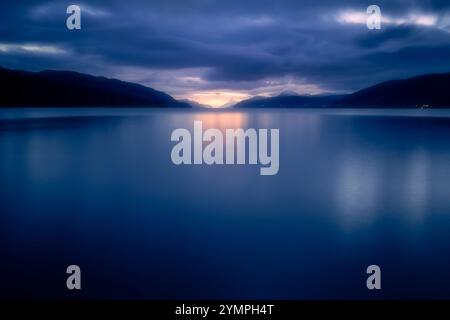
[431, 89]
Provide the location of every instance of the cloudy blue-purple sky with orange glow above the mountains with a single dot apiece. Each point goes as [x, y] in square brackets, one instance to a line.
[218, 52]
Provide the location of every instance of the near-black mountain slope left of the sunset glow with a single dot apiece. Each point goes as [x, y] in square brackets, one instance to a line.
[73, 89]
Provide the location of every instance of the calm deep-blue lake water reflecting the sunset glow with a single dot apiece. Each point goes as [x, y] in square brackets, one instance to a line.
[97, 188]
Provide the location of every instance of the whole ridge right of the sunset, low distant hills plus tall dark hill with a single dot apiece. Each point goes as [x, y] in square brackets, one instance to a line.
[430, 90]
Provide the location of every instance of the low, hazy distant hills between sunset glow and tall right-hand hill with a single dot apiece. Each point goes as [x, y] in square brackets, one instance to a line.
[290, 101]
